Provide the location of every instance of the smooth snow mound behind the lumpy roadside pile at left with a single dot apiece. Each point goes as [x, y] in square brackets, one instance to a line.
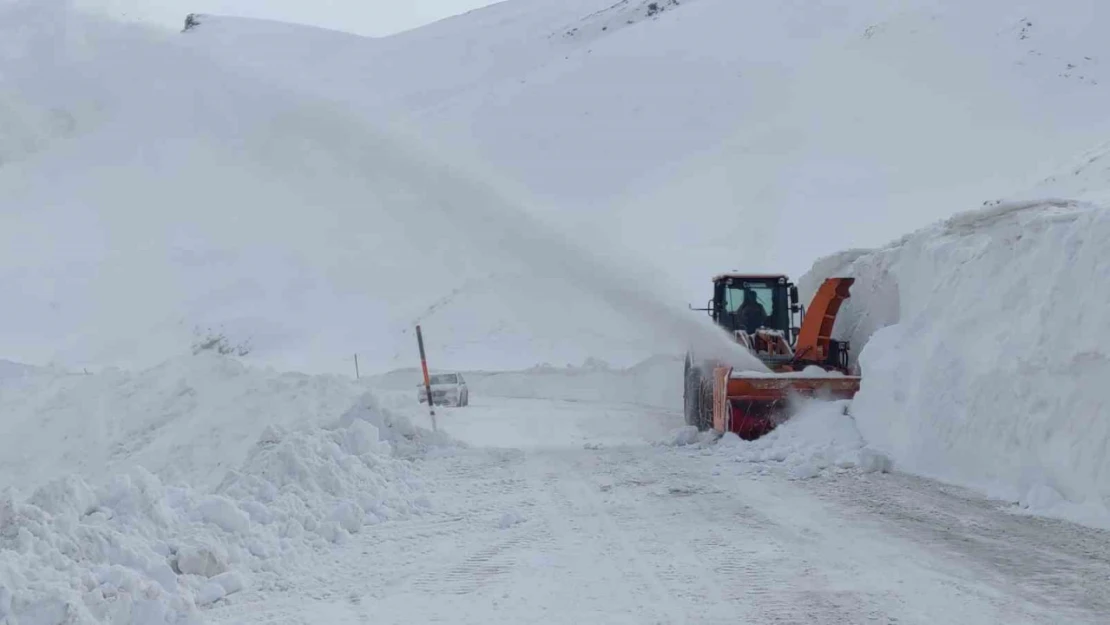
[189, 419]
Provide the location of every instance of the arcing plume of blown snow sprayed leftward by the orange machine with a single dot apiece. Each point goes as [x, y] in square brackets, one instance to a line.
[475, 217]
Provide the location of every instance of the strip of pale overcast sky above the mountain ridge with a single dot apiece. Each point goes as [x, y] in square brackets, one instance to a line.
[364, 17]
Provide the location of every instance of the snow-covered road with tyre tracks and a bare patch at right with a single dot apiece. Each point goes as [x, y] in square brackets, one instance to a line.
[542, 529]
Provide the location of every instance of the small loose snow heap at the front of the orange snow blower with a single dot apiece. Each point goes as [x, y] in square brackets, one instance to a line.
[821, 436]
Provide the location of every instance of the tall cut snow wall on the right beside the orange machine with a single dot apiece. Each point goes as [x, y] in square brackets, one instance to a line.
[985, 355]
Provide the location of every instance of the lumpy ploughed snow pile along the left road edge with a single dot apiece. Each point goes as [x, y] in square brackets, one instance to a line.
[140, 551]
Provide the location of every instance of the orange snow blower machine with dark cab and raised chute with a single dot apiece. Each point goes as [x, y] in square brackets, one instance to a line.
[760, 312]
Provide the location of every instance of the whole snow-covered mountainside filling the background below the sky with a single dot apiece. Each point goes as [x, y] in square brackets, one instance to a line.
[237, 176]
